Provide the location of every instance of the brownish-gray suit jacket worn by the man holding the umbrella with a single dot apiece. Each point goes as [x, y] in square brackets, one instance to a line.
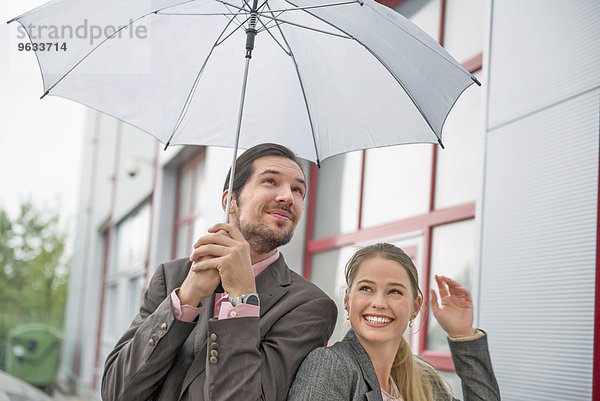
[162, 358]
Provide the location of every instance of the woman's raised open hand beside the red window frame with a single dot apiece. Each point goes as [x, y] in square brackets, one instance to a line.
[455, 314]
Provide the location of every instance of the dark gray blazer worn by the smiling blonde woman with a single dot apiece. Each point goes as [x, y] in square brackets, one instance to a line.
[344, 372]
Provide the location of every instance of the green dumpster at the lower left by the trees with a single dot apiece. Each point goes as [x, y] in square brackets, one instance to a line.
[32, 353]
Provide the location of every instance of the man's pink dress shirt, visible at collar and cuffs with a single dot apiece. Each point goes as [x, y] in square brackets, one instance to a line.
[223, 308]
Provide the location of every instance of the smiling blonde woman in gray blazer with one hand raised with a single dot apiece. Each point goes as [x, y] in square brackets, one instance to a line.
[374, 361]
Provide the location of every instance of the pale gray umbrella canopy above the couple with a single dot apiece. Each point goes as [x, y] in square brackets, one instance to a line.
[327, 77]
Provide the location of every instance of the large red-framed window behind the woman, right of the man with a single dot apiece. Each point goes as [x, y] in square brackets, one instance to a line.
[419, 197]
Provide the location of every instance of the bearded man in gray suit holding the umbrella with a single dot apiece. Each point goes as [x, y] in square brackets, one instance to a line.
[184, 345]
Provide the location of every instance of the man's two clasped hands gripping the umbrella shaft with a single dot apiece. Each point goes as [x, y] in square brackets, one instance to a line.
[225, 250]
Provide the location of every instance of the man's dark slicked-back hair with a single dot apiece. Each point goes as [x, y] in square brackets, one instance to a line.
[243, 166]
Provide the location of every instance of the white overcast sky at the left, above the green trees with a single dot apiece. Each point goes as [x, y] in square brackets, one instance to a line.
[40, 140]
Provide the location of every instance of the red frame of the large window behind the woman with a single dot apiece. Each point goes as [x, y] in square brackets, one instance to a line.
[425, 222]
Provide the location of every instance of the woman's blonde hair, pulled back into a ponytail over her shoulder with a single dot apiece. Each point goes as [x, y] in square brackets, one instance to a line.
[413, 377]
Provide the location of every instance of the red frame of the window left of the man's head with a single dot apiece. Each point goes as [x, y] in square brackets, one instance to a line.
[191, 215]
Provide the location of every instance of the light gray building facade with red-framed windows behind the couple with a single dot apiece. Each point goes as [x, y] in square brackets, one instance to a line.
[509, 208]
